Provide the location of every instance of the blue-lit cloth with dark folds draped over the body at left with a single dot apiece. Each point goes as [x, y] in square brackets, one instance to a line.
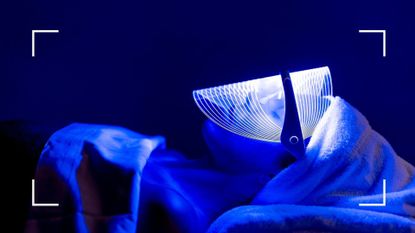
[93, 172]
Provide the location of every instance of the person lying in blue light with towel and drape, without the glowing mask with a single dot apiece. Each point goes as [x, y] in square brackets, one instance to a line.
[110, 179]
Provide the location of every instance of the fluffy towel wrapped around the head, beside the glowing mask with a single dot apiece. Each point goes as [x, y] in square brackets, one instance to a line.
[345, 166]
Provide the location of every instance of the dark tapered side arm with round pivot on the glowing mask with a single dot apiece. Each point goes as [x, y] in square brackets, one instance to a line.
[291, 135]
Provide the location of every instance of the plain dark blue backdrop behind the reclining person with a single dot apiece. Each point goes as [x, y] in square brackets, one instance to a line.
[135, 63]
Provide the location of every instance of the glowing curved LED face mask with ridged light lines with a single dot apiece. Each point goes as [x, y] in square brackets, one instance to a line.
[283, 108]
